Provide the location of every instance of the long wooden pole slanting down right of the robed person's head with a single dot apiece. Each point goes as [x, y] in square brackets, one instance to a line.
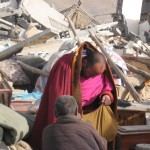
[131, 89]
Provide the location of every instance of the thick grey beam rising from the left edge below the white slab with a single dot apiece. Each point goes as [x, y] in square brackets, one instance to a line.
[7, 53]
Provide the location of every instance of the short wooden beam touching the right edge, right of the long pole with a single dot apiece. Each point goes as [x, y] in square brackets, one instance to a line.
[138, 71]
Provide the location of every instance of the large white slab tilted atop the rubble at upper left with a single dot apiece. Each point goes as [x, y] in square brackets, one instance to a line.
[46, 15]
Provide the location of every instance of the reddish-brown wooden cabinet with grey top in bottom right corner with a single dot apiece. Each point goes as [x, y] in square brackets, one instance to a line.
[129, 136]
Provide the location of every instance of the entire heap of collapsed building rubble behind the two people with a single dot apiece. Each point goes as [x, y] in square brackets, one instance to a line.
[29, 38]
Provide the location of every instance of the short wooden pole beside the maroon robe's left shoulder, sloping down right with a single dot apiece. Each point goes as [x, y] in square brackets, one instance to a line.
[33, 69]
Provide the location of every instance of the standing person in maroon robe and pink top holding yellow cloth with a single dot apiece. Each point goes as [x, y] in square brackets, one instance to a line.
[84, 74]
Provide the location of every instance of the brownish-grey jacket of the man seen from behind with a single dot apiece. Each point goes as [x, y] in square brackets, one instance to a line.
[71, 133]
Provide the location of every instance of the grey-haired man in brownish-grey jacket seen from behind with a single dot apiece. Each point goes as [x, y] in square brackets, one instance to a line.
[69, 131]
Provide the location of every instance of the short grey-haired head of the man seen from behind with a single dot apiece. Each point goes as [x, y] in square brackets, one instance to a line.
[65, 105]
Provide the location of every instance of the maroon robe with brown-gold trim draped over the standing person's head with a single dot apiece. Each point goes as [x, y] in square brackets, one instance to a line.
[60, 82]
